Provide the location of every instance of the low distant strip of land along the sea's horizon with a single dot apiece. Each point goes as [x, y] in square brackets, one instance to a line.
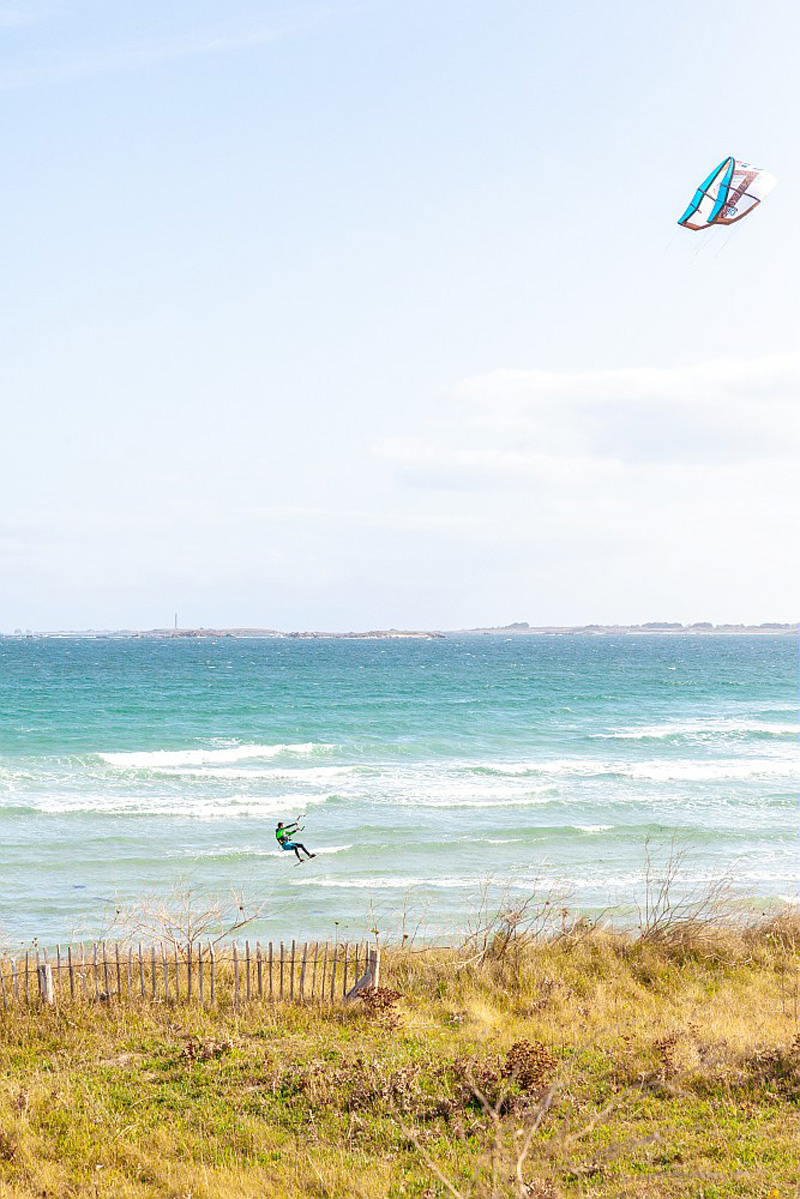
[520, 629]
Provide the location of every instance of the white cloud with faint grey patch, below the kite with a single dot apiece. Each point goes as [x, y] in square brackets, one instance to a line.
[549, 426]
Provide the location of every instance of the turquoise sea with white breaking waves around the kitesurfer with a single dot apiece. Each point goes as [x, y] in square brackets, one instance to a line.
[424, 769]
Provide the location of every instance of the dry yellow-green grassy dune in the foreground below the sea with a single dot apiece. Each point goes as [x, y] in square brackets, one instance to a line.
[591, 1065]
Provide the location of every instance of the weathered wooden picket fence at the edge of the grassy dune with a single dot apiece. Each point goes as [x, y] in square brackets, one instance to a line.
[228, 975]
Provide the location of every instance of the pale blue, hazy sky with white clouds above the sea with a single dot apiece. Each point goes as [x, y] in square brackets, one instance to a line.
[348, 316]
